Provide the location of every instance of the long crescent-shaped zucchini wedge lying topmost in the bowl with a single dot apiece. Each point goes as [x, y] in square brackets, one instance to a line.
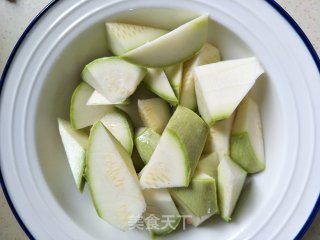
[173, 47]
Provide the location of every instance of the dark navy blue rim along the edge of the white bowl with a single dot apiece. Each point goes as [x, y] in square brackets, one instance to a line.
[272, 3]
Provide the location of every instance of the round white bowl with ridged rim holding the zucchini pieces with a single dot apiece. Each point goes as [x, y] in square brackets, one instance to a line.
[45, 68]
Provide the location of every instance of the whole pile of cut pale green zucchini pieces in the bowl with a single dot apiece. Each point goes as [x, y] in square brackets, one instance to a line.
[180, 153]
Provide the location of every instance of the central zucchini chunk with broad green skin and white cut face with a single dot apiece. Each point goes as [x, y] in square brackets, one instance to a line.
[174, 160]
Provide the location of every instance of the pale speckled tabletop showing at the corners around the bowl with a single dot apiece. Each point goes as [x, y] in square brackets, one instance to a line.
[15, 16]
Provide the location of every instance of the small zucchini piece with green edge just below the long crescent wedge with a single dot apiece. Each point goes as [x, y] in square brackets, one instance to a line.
[157, 82]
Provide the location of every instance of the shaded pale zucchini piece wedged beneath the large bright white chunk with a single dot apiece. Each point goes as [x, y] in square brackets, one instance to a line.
[219, 137]
